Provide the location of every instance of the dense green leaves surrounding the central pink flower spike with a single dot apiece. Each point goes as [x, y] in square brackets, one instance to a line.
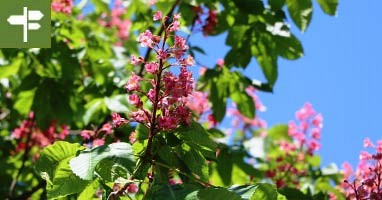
[79, 83]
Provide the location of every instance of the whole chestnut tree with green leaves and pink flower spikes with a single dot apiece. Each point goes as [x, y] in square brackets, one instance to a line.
[112, 110]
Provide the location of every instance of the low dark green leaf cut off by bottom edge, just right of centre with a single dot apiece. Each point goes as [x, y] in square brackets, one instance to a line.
[213, 193]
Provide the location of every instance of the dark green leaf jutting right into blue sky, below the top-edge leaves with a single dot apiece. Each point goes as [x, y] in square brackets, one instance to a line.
[289, 47]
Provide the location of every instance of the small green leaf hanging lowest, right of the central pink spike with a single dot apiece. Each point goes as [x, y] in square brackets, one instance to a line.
[244, 103]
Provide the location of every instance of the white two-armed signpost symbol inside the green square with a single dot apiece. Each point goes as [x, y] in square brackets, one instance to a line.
[31, 15]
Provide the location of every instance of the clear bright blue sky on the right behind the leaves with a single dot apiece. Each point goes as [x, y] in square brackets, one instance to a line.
[339, 74]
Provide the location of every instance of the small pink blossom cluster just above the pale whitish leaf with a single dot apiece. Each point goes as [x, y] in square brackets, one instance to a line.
[97, 138]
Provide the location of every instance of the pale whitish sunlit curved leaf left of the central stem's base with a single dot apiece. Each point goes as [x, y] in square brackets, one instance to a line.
[86, 162]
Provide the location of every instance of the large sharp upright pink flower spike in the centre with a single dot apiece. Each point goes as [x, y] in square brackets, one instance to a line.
[168, 92]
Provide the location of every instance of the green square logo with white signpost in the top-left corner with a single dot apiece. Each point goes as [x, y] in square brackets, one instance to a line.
[25, 23]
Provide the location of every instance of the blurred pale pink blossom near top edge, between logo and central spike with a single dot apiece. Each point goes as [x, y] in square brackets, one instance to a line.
[116, 20]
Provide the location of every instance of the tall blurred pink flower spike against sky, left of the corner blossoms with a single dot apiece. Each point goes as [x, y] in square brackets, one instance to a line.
[305, 140]
